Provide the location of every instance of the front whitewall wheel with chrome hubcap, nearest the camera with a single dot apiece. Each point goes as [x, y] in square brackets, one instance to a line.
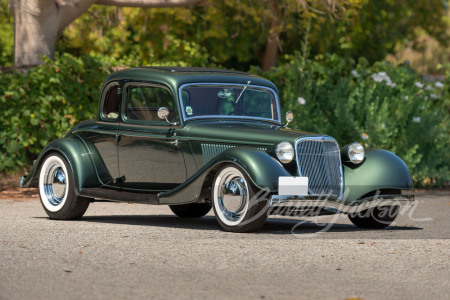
[237, 203]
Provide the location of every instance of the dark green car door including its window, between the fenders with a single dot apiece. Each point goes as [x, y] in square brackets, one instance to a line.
[150, 156]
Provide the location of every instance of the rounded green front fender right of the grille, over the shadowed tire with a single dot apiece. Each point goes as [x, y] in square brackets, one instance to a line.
[381, 169]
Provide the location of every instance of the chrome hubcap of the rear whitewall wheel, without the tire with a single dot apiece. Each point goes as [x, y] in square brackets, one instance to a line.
[55, 184]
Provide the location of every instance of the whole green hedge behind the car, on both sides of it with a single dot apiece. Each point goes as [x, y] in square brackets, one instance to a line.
[394, 110]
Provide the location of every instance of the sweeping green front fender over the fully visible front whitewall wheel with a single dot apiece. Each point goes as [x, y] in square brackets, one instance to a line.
[262, 169]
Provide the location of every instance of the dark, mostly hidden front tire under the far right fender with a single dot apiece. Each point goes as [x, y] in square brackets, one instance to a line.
[375, 218]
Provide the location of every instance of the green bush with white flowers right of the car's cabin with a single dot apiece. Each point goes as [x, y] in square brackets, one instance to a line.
[381, 106]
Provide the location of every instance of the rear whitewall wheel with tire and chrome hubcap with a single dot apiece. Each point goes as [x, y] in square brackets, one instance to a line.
[57, 192]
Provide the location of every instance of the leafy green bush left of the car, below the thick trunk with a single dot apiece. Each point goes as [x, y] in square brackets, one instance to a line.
[43, 105]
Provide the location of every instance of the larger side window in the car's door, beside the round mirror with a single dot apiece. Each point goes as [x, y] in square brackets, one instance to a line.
[143, 102]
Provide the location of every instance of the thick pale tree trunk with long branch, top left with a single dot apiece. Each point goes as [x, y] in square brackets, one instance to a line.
[39, 23]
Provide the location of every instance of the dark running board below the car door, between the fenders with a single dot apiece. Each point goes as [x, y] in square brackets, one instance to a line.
[119, 196]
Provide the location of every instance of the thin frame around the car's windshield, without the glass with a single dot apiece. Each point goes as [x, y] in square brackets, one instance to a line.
[185, 118]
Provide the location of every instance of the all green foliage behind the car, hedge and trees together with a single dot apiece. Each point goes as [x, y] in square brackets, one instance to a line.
[333, 74]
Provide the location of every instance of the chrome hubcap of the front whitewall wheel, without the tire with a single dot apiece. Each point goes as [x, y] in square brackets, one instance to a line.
[233, 196]
